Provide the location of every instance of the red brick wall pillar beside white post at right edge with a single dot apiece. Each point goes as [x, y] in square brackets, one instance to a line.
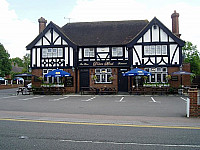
[194, 106]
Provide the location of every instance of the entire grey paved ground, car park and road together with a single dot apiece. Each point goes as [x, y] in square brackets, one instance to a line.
[96, 122]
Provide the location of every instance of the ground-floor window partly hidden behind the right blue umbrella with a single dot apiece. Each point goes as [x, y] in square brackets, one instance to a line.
[158, 75]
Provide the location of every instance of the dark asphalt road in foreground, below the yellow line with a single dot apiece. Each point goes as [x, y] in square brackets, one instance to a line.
[30, 135]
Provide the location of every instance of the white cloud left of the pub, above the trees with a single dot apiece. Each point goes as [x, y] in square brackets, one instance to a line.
[15, 34]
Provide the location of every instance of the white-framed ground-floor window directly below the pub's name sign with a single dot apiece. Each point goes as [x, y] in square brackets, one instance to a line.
[103, 75]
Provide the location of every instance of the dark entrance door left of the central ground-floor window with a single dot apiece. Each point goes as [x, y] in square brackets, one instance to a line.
[84, 78]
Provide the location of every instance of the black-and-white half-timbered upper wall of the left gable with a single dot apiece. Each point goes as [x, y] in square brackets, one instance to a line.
[50, 50]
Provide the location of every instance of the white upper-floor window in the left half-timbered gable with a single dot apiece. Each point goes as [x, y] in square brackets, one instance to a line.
[52, 52]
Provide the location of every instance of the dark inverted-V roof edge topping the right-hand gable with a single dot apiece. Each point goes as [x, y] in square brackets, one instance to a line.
[155, 21]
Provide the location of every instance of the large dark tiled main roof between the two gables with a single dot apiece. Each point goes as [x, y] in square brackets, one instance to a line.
[103, 33]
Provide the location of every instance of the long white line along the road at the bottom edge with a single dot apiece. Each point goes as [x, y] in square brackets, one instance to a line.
[127, 143]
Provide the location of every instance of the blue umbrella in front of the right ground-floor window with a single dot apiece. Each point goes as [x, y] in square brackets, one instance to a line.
[137, 72]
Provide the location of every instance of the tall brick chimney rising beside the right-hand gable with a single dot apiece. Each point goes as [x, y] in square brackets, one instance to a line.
[175, 23]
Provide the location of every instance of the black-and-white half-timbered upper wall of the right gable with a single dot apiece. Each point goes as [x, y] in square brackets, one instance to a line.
[155, 48]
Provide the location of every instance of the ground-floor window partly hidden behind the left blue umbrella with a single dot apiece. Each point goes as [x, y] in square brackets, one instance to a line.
[50, 79]
